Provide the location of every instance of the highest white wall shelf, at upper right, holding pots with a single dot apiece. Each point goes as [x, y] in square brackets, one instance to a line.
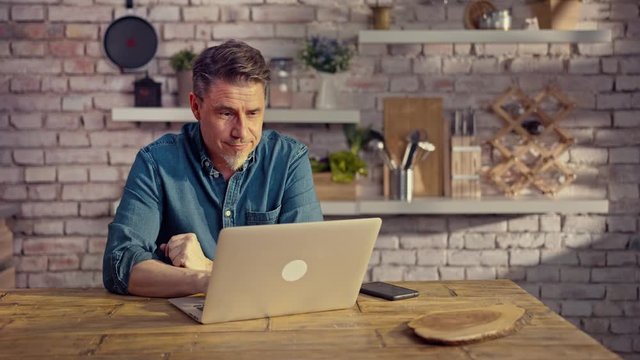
[482, 36]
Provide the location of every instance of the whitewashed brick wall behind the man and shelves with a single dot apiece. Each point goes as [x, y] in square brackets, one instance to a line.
[64, 160]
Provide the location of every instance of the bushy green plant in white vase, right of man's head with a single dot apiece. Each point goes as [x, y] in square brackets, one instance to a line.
[327, 56]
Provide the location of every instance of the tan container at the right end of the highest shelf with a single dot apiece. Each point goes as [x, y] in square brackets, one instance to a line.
[557, 14]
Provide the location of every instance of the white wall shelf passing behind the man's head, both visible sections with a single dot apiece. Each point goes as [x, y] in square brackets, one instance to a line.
[292, 116]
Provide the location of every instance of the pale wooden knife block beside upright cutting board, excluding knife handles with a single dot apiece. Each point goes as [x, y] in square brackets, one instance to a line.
[465, 167]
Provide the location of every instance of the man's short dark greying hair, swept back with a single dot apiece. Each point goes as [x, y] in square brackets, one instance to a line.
[232, 61]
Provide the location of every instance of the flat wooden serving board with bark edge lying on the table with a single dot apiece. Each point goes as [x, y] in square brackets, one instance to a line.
[466, 325]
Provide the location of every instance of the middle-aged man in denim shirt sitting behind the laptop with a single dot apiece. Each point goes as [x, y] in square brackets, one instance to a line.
[221, 171]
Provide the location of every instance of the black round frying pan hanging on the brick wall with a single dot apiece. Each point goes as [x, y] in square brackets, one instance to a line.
[130, 41]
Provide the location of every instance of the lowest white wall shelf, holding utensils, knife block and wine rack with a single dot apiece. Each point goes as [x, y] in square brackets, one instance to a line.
[450, 206]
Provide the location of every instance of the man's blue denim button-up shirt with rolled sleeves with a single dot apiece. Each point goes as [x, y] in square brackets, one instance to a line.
[173, 188]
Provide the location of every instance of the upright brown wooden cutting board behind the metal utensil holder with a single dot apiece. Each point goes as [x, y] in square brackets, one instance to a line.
[401, 117]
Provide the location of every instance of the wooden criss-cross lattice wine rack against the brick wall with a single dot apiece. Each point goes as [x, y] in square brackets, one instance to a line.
[528, 159]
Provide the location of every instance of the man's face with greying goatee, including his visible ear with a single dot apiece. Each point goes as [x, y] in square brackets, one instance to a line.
[230, 117]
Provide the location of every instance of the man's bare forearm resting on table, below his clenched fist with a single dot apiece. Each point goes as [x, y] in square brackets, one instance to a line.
[156, 279]
